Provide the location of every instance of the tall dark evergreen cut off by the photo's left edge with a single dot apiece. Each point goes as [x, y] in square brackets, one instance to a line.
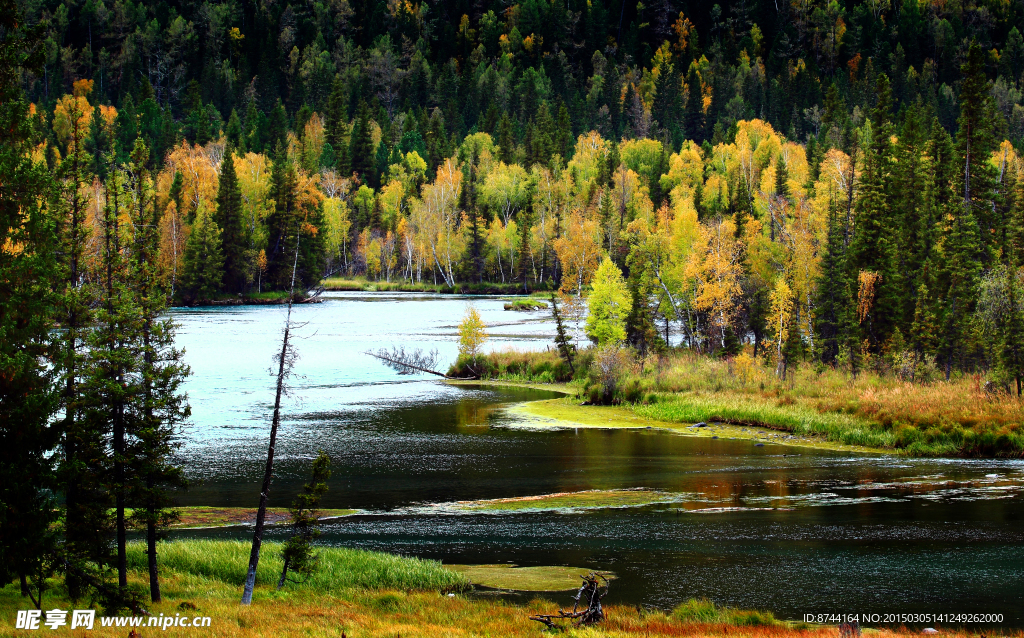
[29, 279]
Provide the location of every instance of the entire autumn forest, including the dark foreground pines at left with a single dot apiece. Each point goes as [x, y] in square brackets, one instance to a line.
[837, 183]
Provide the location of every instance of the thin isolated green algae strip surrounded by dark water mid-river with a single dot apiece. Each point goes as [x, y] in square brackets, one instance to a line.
[590, 499]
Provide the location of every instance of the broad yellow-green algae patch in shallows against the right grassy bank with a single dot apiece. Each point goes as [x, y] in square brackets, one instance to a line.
[685, 412]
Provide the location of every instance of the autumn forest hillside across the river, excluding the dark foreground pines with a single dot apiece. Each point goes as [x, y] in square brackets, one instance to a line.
[833, 179]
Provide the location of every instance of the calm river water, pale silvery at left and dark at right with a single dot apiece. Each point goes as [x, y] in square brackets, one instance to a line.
[789, 530]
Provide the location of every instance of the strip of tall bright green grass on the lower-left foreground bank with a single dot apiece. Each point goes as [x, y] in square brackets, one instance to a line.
[340, 569]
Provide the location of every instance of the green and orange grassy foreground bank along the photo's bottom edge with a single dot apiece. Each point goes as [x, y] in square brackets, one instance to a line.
[362, 594]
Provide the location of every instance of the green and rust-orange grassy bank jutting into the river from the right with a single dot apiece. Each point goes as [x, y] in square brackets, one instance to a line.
[870, 411]
